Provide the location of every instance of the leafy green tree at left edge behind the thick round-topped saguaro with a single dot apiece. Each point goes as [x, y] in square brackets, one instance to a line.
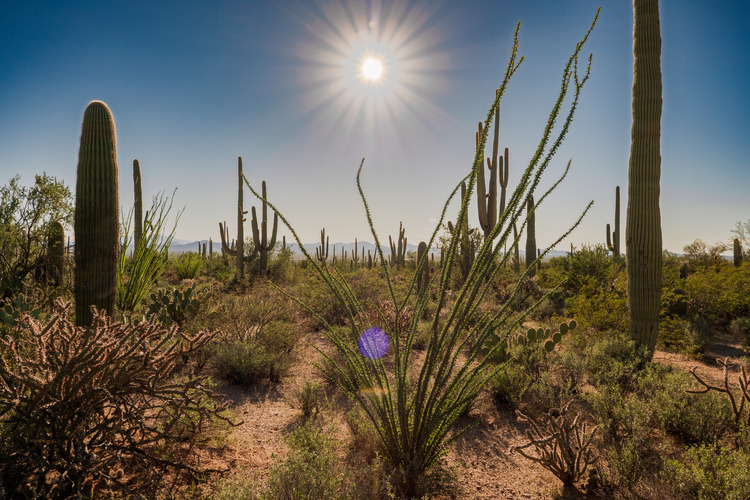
[25, 216]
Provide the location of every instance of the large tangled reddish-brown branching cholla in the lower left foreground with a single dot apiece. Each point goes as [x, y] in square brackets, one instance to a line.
[98, 407]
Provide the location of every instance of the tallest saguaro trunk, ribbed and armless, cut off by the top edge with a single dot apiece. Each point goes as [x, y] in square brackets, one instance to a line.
[643, 226]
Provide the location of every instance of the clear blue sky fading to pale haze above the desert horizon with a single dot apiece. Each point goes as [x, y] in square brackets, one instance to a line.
[193, 85]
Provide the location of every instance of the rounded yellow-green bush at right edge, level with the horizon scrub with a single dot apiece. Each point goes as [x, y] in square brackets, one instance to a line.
[721, 294]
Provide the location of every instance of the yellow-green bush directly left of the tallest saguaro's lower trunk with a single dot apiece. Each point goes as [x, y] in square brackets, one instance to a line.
[603, 309]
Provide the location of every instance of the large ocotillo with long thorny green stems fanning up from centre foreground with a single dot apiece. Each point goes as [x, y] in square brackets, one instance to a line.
[412, 407]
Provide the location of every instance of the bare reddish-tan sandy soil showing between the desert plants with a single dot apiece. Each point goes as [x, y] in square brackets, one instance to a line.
[486, 469]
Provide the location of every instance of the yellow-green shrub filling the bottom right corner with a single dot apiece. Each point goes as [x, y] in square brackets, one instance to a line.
[710, 472]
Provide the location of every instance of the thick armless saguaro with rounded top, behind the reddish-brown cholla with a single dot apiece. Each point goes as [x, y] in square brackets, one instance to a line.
[96, 222]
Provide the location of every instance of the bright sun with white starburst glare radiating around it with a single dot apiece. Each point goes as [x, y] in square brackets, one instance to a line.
[371, 75]
